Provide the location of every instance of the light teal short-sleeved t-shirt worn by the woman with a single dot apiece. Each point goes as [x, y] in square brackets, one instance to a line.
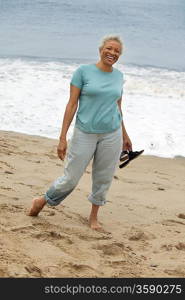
[98, 111]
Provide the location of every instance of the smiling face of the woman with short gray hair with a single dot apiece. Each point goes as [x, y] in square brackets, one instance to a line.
[110, 52]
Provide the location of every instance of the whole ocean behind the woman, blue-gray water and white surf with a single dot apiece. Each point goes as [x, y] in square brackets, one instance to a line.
[43, 42]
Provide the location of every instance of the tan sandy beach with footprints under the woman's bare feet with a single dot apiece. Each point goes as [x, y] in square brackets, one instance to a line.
[143, 220]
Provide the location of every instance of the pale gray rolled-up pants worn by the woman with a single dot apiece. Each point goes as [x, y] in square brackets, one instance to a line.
[105, 149]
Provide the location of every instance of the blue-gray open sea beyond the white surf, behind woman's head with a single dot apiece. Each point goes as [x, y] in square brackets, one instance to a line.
[153, 30]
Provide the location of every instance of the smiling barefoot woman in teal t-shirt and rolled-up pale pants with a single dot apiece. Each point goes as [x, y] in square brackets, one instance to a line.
[99, 133]
